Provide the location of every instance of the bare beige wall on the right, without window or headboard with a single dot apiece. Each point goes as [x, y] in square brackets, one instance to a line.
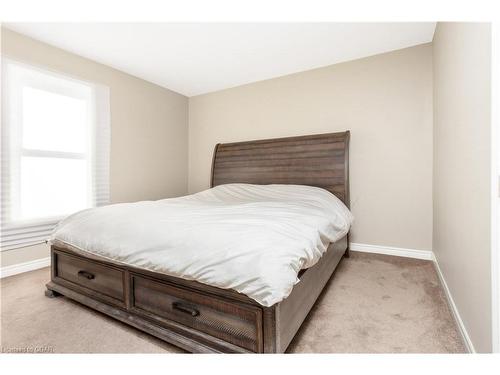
[462, 126]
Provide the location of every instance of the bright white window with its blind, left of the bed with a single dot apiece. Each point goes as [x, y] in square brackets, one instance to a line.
[55, 151]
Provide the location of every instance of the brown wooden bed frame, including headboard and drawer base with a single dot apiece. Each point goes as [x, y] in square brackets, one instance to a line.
[198, 317]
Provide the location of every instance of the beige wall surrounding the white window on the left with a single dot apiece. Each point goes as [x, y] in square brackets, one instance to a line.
[149, 127]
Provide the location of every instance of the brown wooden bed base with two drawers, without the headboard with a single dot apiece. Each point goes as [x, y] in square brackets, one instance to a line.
[193, 316]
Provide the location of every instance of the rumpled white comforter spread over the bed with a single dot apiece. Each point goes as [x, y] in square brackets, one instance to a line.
[250, 238]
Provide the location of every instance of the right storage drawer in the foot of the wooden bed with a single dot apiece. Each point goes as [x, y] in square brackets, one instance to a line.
[233, 322]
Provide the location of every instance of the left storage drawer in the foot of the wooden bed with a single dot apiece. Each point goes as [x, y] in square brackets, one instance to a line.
[102, 279]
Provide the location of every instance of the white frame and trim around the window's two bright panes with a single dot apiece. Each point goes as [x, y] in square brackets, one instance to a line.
[17, 233]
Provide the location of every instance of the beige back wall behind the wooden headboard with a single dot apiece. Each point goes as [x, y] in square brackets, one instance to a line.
[386, 102]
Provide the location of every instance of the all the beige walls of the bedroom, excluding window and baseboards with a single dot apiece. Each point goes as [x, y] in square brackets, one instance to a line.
[400, 194]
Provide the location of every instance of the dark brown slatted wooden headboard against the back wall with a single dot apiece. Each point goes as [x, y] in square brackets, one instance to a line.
[320, 160]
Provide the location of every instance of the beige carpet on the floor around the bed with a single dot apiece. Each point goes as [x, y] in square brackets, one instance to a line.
[373, 303]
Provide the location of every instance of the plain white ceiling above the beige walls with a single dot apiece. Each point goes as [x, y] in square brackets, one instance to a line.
[196, 58]
